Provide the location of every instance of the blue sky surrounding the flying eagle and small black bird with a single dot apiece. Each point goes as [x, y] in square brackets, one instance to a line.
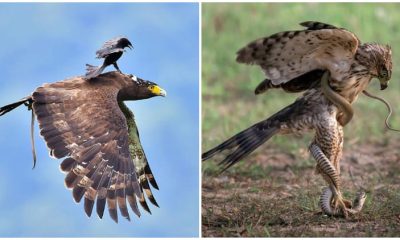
[50, 42]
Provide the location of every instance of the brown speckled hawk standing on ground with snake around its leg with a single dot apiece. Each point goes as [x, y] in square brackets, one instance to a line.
[297, 61]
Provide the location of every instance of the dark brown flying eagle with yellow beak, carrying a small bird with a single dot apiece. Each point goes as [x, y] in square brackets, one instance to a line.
[86, 123]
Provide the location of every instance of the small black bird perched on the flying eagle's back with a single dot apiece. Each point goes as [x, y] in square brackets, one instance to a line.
[111, 51]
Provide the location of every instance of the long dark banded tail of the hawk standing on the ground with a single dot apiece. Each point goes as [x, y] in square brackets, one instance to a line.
[246, 141]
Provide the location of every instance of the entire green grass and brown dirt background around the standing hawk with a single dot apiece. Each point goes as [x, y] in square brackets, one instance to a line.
[229, 105]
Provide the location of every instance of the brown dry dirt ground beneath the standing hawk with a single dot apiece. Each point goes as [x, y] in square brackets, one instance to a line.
[276, 194]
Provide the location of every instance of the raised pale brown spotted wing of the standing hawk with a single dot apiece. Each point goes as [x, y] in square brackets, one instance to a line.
[288, 55]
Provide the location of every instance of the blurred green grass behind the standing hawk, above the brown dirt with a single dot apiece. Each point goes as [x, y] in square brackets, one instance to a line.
[228, 101]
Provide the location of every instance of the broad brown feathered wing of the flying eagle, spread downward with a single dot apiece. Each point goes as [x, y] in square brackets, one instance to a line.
[86, 125]
